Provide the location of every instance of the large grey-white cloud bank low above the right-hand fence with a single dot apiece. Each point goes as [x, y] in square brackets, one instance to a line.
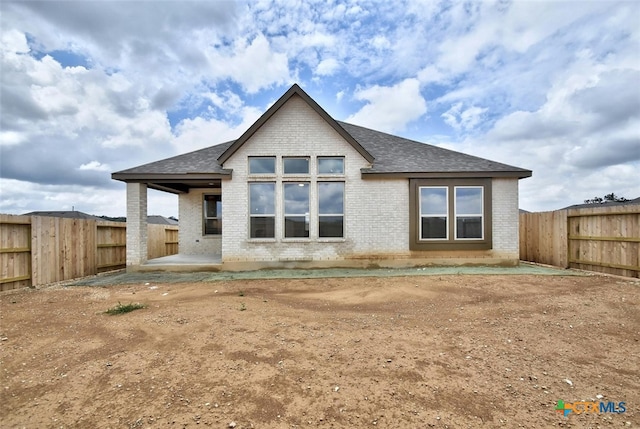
[582, 142]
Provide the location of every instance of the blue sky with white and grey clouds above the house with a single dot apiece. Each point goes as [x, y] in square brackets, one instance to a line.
[93, 87]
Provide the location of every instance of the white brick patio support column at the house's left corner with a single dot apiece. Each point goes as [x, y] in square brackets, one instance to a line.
[136, 224]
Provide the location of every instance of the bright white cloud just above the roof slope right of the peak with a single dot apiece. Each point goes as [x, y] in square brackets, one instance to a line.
[390, 108]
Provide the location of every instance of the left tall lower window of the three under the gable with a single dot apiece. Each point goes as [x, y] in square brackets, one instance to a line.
[262, 210]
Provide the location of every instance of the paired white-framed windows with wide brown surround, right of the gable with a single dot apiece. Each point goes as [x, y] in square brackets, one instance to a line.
[450, 214]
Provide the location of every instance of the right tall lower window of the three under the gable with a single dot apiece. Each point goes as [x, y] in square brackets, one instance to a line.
[330, 209]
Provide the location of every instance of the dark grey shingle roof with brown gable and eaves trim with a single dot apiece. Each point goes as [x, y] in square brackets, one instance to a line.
[389, 155]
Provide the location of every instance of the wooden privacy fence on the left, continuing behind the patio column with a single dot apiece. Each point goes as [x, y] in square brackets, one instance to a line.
[37, 250]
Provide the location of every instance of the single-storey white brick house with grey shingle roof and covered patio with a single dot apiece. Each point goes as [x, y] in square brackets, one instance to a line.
[300, 189]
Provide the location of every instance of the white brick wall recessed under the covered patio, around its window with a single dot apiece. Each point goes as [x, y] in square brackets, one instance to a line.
[191, 239]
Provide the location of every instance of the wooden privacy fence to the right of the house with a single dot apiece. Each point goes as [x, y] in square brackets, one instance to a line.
[600, 238]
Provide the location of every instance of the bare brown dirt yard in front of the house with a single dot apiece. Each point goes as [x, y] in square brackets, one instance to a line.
[451, 351]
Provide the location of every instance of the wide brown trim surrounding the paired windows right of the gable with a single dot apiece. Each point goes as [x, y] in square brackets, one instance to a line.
[451, 243]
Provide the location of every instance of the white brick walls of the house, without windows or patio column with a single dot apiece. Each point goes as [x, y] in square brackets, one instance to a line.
[376, 211]
